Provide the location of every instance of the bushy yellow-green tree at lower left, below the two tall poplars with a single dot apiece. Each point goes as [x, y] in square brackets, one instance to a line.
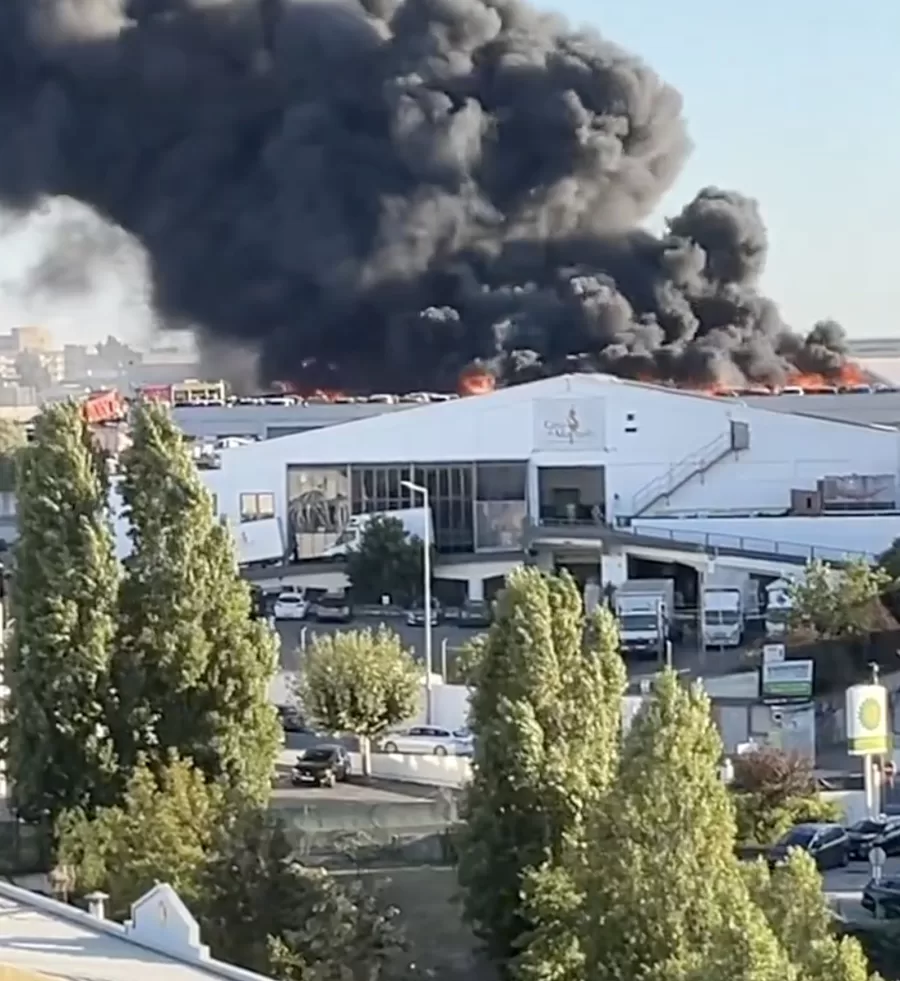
[162, 831]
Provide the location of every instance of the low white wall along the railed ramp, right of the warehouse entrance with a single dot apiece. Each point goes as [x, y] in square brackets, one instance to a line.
[854, 533]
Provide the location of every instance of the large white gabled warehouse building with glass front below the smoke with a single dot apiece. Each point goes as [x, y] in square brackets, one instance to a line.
[592, 472]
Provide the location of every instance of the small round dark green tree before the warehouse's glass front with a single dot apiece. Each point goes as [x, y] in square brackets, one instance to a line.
[388, 562]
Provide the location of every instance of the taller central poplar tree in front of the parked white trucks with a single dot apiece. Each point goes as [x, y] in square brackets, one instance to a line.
[546, 716]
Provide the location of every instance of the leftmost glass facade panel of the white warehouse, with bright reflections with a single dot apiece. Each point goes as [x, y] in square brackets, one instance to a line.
[318, 507]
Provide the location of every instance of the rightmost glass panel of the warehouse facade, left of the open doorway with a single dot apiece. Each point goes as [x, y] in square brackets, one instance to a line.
[501, 505]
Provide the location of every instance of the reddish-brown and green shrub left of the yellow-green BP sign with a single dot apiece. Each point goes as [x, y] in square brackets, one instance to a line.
[772, 791]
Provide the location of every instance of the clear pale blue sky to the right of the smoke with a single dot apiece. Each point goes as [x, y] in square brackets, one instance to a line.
[796, 103]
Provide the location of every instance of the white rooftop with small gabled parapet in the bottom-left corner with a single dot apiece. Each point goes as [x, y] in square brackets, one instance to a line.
[159, 943]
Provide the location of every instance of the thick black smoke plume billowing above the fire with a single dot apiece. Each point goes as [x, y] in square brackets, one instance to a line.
[375, 194]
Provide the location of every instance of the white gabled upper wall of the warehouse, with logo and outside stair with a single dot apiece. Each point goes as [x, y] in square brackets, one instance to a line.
[636, 431]
